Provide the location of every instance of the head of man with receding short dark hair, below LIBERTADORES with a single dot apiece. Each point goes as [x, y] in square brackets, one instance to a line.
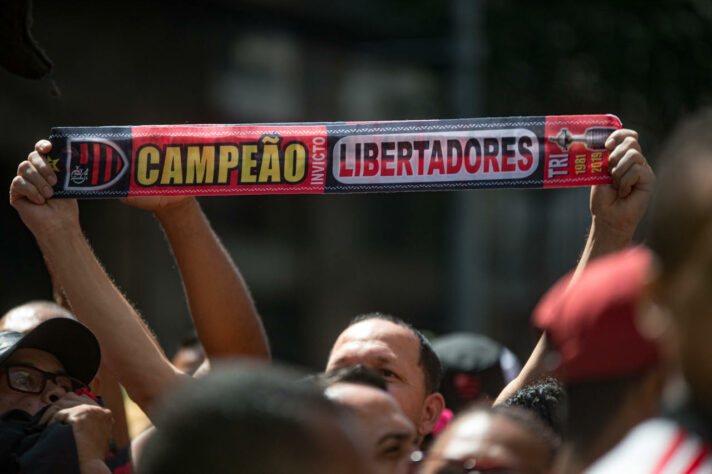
[402, 356]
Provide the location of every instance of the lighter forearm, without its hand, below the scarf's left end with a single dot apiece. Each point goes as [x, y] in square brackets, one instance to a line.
[128, 349]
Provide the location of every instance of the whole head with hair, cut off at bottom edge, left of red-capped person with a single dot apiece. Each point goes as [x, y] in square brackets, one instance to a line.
[488, 438]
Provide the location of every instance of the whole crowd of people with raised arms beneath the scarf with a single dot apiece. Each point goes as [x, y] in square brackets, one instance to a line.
[600, 393]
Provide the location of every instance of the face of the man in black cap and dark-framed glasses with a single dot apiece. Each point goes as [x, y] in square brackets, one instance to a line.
[11, 399]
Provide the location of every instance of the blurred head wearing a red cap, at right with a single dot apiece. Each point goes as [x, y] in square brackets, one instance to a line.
[611, 368]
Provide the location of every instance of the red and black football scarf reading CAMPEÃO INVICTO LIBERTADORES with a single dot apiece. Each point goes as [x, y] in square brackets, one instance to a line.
[336, 157]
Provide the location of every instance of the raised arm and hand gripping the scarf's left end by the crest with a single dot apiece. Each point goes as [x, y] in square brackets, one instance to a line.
[128, 347]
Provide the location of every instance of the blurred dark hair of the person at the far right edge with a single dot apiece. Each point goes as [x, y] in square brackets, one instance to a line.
[683, 197]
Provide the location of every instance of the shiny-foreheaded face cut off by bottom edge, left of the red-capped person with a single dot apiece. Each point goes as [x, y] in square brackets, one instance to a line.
[485, 441]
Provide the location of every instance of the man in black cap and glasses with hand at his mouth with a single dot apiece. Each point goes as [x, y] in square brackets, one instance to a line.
[48, 422]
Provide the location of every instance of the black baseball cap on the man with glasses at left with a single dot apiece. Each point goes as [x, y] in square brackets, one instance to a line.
[72, 343]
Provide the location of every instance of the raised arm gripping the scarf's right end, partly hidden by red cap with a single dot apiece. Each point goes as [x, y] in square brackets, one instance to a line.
[616, 211]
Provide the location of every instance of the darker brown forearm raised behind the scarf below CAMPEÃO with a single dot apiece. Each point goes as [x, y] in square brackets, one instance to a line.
[220, 303]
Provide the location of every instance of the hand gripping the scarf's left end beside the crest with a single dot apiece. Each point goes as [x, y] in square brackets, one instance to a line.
[30, 194]
